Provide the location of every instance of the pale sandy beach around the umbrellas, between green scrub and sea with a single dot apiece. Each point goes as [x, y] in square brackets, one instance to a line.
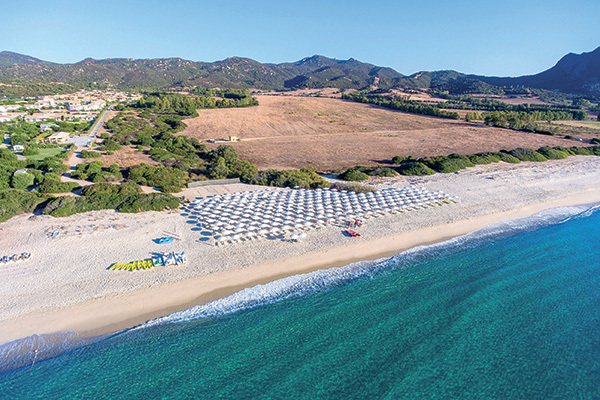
[65, 285]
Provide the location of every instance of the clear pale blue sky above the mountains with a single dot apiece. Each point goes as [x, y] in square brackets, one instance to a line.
[504, 38]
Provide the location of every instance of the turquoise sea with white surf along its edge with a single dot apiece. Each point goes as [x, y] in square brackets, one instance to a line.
[510, 312]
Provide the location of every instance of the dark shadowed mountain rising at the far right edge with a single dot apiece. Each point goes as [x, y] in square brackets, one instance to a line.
[574, 73]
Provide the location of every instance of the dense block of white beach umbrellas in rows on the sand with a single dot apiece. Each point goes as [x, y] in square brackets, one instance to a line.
[239, 216]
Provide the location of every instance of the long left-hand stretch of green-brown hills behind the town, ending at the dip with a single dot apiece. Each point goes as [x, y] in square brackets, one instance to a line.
[234, 72]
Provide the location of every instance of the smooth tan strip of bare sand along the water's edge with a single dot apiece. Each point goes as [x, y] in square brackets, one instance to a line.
[112, 314]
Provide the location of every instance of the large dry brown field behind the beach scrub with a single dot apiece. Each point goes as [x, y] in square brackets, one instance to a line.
[329, 134]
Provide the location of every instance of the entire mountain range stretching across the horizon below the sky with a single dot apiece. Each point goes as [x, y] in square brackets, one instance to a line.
[574, 73]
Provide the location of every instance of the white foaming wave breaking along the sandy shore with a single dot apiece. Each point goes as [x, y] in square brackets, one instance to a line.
[304, 284]
